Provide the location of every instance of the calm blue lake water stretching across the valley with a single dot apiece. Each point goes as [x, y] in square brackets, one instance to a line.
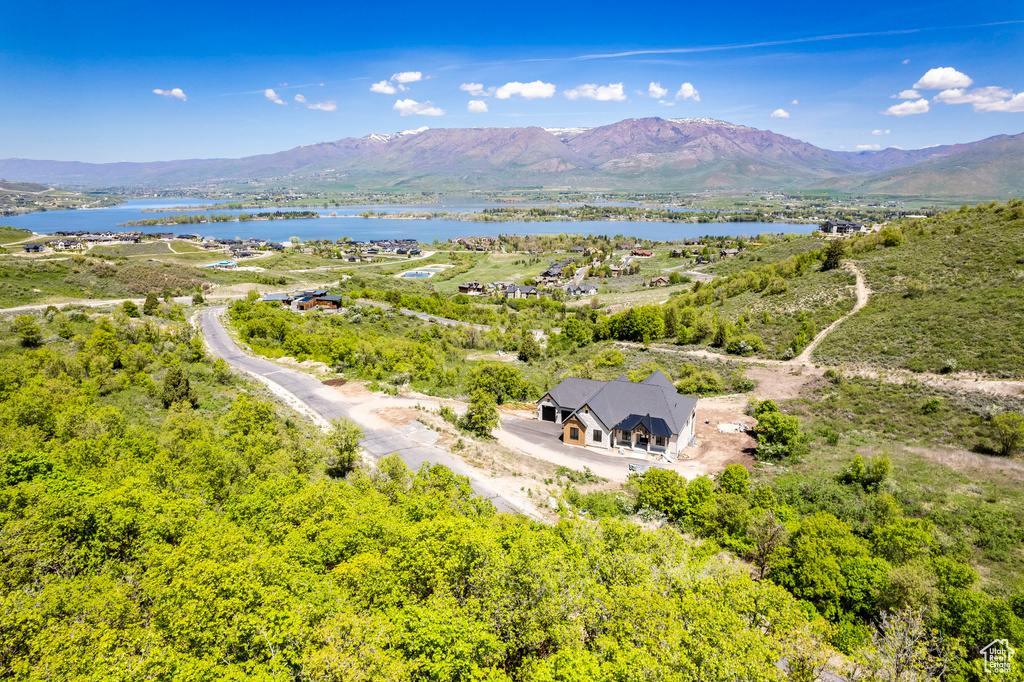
[348, 224]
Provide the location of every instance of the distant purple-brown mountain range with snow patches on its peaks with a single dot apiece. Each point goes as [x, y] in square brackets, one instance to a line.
[685, 155]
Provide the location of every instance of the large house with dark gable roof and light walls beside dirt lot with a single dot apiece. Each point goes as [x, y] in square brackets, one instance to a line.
[650, 416]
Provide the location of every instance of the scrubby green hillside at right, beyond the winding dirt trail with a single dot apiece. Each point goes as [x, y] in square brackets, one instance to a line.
[949, 299]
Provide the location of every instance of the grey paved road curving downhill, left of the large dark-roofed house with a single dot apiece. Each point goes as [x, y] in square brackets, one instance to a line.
[328, 404]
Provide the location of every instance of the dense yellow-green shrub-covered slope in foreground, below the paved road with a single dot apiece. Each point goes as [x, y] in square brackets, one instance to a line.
[206, 542]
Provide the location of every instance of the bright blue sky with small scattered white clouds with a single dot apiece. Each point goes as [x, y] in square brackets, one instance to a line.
[129, 81]
